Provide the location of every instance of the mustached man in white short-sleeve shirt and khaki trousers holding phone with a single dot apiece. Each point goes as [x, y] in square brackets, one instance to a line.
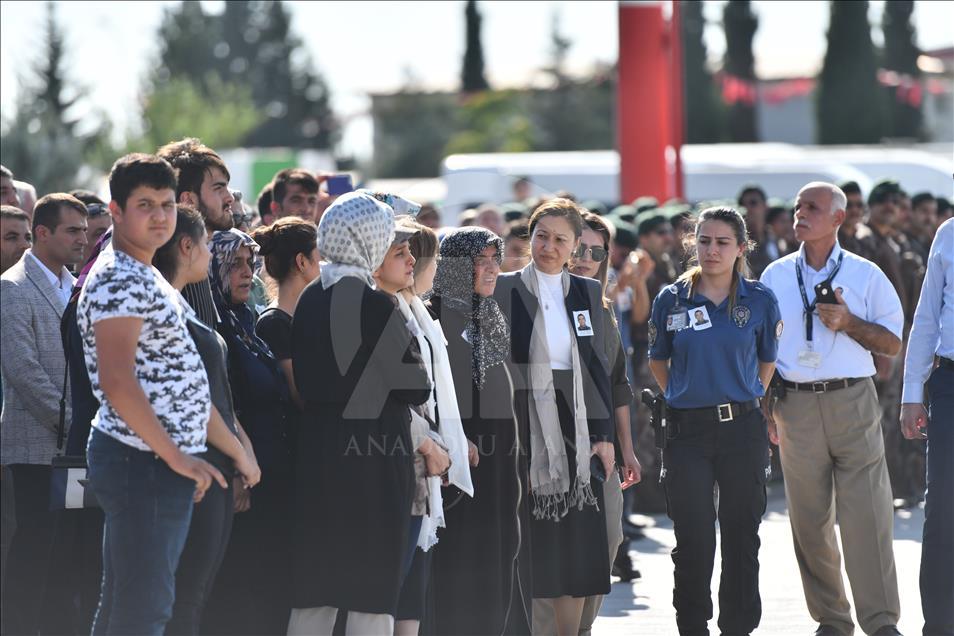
[838, 310]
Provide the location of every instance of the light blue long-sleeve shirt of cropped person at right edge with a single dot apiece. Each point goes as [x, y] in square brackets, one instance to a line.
[933, 328]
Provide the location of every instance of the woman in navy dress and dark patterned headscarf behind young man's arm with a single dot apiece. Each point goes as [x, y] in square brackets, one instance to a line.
[251, 591]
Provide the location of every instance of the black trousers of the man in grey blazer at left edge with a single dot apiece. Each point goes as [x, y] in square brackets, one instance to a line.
[25, 577]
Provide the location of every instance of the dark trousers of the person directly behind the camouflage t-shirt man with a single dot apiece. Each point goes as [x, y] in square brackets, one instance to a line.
[201, 557]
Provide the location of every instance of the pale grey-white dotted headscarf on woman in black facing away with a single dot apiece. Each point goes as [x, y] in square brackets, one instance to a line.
[354, 235]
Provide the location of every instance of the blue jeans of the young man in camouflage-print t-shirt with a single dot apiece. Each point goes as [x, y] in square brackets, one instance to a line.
[148, 508]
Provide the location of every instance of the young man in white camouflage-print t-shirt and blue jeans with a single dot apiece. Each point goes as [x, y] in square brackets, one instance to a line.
[154, 404]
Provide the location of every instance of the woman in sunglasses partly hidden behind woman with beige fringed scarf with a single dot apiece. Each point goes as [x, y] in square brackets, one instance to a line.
[590, 260]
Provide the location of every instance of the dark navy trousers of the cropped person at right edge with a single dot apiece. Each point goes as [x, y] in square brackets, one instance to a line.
[937, 545]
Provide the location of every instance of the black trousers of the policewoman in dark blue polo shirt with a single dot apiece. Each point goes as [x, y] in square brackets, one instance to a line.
[734, 456]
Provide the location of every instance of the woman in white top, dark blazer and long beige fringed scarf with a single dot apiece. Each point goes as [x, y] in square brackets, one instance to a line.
[563, 395]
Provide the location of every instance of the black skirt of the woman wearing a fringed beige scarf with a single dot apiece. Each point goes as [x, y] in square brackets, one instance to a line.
[570, 557]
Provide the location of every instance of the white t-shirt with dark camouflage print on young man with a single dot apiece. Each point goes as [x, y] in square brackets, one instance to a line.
[168, 365]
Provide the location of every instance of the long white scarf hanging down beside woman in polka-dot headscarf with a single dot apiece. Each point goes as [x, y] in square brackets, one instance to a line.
[449, 423]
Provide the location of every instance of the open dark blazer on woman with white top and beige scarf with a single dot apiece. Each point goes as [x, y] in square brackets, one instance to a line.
[520, 307]
